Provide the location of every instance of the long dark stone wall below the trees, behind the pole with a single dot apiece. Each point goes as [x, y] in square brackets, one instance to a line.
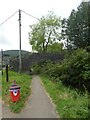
[29, 60]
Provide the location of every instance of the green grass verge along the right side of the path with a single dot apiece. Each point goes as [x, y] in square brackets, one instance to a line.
[69, 103]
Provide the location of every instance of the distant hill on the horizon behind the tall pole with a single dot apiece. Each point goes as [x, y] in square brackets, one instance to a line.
[13, 53]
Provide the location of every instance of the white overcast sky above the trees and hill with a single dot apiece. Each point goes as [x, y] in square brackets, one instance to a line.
[9, 31]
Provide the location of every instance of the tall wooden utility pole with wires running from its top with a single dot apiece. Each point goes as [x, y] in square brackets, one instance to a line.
[20, 61]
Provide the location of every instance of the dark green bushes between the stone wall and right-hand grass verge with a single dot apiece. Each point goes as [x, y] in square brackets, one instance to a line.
[73, 71]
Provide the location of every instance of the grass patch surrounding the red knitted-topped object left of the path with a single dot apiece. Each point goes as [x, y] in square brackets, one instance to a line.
[24, 82]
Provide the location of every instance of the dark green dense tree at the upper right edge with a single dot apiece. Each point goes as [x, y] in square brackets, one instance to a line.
[78, 27]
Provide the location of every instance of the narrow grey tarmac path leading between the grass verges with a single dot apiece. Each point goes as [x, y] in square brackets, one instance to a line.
[37, 106]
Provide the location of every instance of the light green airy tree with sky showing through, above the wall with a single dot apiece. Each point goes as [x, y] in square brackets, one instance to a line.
[45, 33]
